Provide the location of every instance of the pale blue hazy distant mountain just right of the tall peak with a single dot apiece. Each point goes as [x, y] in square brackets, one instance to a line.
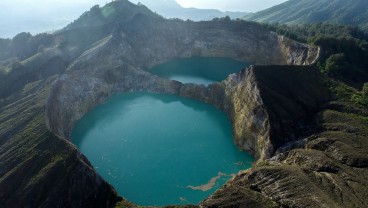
[171, 9]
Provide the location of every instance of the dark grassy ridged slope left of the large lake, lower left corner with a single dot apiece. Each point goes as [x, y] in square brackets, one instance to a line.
[37, 168]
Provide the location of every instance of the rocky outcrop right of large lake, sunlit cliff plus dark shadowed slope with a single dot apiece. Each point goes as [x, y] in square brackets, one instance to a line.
[267, 105]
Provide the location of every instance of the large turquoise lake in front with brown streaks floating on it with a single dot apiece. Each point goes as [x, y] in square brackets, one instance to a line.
[160, 149]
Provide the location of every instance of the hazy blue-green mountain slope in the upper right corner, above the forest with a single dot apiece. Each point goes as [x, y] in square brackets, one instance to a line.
[352, 12]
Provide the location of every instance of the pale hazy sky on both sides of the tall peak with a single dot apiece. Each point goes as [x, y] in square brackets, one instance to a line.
[37, 16]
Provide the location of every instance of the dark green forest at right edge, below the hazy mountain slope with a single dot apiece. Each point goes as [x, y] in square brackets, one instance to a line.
[344, 49]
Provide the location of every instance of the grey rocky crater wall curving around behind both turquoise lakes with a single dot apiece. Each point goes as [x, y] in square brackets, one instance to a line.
[114, 64]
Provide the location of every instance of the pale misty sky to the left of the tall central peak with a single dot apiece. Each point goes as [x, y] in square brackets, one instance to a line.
[38, 17]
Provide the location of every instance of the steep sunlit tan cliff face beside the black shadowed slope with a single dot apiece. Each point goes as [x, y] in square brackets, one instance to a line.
[248, 114]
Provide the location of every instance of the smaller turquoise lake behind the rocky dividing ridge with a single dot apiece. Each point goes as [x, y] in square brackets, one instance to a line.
[198, 70]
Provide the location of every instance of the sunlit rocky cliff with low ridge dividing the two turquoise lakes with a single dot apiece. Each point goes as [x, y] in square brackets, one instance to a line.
[239, 97]
